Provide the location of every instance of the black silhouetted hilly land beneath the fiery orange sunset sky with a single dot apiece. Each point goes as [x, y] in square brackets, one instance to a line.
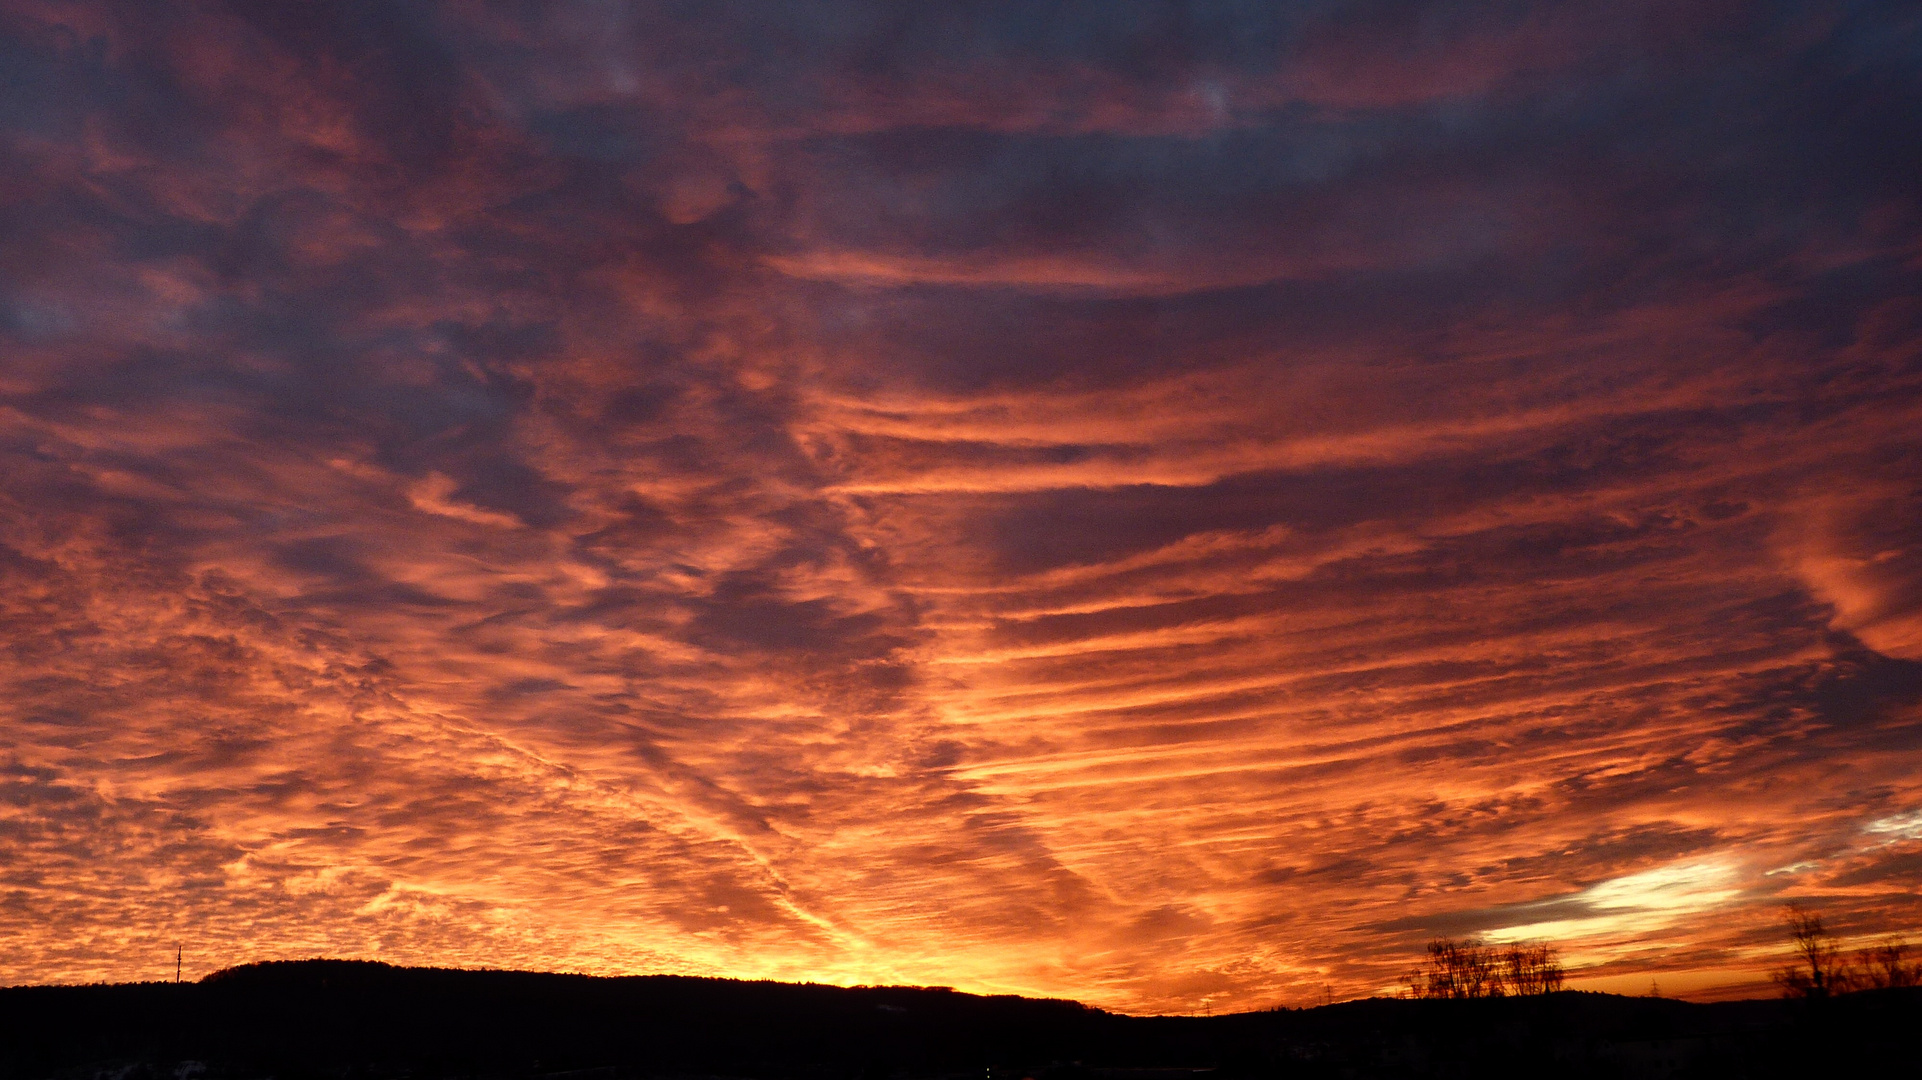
[366, 1021]
